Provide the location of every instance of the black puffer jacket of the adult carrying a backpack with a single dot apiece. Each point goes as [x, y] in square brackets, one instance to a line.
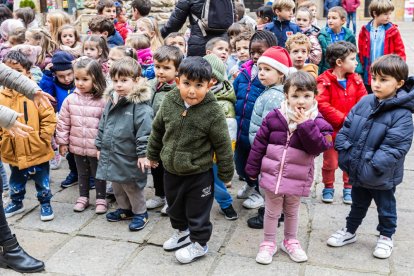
[183, 9]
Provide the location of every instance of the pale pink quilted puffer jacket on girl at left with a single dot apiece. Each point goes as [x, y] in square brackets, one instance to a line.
[78, 123]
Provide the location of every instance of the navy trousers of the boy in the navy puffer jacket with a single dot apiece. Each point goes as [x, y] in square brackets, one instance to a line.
[386, 207]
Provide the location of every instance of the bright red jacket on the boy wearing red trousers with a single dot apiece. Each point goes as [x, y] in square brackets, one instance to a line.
[334, 102]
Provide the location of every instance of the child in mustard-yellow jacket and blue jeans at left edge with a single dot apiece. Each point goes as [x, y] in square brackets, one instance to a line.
[27, 156]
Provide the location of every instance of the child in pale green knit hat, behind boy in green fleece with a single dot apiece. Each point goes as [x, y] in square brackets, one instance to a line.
[224, 93]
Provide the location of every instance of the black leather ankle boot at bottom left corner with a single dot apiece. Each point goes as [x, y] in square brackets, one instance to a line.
[14, 257]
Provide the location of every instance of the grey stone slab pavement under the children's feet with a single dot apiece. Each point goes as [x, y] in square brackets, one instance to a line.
[86, 244]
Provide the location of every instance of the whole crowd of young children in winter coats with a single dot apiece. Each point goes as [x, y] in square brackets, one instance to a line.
[257, 103]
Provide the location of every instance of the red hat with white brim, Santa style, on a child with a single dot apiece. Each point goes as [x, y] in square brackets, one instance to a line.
[279, 59]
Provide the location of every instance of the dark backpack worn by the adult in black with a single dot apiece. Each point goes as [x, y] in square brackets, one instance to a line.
[216, 16]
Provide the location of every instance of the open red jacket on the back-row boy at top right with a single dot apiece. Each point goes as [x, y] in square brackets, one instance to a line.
[393, 44]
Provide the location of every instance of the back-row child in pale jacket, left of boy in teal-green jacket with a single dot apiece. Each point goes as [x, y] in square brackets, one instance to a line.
[303, 19]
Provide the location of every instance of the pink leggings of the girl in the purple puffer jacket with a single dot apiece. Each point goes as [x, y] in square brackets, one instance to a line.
[274, 205]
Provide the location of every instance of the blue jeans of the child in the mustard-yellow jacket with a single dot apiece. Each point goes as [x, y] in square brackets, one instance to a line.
[40, 175]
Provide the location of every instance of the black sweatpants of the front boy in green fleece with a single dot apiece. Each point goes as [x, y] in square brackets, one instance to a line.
[190, 198]
